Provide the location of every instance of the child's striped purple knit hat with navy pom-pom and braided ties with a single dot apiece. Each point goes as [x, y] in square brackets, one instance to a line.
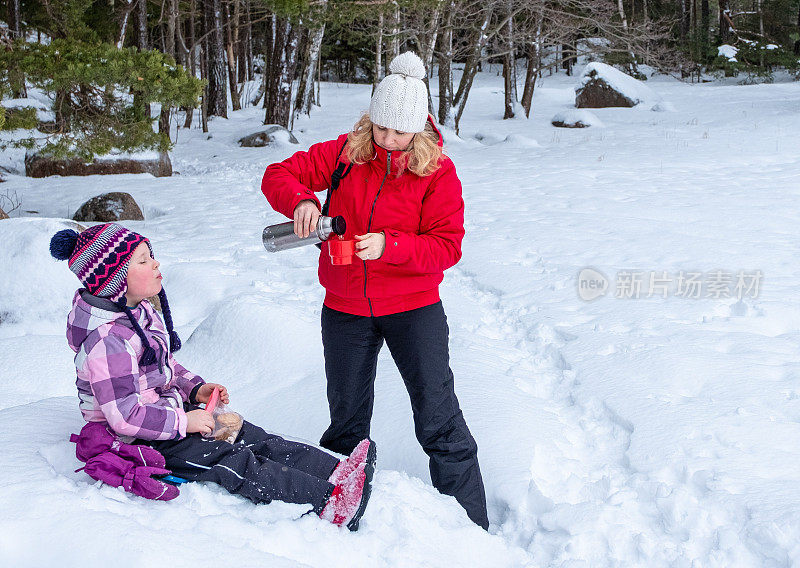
[99, 257]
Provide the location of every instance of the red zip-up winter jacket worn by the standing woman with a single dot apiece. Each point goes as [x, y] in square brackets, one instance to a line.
[422, 218]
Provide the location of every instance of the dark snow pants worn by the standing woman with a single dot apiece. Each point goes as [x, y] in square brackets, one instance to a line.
[418, 342]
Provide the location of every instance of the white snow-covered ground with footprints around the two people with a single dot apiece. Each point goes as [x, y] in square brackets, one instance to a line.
[644, 431]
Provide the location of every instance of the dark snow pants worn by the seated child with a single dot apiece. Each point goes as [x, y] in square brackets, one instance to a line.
[259, 466]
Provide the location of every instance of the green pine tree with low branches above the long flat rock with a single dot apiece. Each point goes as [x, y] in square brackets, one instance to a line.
[100, 93]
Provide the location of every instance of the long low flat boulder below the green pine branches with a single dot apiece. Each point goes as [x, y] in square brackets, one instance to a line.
[157, 164]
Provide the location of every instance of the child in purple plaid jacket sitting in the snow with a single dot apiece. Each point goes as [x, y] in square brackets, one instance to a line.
[128, 379]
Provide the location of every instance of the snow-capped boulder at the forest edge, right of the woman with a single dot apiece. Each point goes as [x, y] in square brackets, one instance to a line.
[603, 86]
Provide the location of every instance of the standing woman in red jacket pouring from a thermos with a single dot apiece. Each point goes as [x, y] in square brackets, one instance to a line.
[401, 199]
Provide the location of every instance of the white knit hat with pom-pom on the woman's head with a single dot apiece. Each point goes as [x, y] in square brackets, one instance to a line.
[401, 99]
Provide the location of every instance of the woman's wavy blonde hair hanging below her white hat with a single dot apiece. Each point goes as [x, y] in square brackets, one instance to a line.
[423, 156]
